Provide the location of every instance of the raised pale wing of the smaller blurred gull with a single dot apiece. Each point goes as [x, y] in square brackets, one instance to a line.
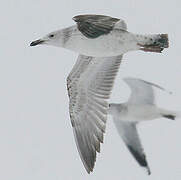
[141, 91]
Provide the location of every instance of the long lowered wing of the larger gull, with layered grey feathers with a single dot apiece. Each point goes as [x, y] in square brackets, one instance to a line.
[89, 86]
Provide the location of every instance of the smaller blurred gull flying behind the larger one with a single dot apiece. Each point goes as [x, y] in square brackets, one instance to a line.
[139, 107]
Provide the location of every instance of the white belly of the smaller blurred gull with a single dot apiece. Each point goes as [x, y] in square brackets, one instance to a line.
[141, 113]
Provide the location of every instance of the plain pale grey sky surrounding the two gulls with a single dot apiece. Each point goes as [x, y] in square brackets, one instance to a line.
[36, 139]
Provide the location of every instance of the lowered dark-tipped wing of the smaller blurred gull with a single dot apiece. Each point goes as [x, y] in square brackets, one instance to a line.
[129, 134]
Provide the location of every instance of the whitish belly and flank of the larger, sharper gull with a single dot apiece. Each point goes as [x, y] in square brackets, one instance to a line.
[112, 44]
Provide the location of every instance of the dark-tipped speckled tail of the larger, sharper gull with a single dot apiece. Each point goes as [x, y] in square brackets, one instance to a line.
[154, 43]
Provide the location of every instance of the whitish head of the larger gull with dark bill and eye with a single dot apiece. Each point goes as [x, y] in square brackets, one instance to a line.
[55, 38]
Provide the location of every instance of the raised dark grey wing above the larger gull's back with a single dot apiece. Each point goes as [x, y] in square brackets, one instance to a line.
[93, 26]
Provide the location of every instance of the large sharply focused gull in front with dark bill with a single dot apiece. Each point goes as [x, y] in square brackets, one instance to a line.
[100, 41]
